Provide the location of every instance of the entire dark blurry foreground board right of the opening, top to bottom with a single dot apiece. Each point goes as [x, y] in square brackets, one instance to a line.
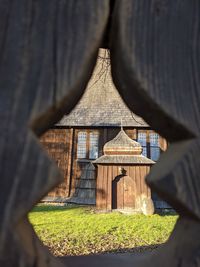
[155, 57]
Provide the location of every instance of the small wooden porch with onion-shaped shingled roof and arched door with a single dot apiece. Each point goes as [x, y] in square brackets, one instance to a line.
[121, 172]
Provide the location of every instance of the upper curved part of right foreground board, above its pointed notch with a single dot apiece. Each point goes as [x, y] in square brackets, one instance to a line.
[162, 73]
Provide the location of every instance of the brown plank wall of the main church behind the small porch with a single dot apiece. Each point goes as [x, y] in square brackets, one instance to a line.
[61, 144]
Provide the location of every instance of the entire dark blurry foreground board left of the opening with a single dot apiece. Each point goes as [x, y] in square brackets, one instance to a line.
[45, 65]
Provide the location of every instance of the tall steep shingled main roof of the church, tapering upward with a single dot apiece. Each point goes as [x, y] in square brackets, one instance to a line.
[101, 104]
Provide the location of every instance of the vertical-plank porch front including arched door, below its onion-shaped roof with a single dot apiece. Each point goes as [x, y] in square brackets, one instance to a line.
[122, 192]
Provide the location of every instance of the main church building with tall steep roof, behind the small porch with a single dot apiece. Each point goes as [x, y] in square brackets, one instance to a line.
[77, 141]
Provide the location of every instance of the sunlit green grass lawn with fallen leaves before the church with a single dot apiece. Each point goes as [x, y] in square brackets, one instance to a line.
[79, 231]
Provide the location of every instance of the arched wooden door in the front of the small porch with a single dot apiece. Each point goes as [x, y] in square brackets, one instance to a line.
[123, 192]
